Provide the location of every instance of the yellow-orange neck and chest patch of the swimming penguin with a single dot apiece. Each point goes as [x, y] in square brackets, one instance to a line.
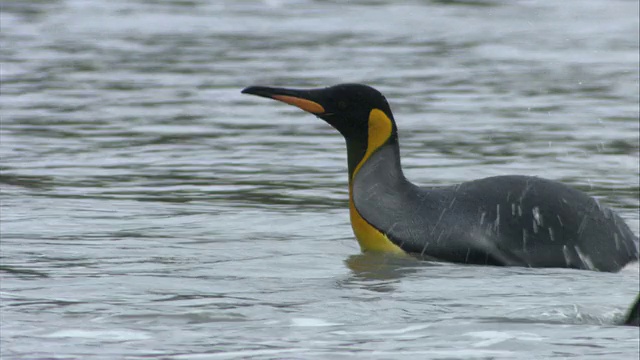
[370, 238]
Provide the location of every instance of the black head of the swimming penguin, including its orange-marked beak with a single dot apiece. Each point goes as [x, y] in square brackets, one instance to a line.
[346, 107]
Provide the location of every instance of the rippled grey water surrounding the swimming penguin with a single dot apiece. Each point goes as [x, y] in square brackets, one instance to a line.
[149, 210]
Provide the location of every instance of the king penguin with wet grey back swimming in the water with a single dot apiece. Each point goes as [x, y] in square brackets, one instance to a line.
[503, 220]
